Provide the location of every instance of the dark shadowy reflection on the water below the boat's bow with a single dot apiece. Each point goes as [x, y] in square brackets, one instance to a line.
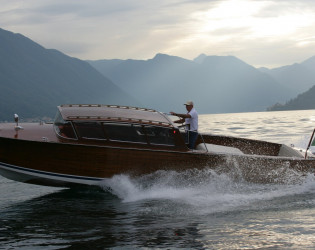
[89, 220]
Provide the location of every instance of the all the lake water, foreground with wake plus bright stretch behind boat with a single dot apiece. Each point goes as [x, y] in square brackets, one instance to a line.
[191, 210]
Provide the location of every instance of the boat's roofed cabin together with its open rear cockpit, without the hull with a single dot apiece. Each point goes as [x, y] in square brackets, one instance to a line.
[130, 127]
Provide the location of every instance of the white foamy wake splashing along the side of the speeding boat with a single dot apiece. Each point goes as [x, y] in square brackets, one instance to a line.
[204, 191]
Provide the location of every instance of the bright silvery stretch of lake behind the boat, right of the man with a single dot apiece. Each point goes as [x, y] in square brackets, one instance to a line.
[284, 127]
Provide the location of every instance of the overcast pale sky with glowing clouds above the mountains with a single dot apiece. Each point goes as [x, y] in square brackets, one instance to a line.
[267, 33]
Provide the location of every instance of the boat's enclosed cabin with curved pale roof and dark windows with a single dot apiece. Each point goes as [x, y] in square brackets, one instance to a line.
[113, 124]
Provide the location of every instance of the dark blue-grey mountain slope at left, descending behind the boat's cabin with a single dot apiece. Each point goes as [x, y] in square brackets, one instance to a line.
[34, 80]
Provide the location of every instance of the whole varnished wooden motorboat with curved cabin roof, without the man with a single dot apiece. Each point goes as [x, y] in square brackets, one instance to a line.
[89, 143]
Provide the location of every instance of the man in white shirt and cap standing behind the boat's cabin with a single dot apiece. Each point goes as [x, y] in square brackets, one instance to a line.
[191, 122]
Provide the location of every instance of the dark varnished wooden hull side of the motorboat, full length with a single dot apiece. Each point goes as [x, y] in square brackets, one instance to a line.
[65, 164]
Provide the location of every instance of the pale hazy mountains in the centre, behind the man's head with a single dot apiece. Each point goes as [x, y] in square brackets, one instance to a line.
[217, 84]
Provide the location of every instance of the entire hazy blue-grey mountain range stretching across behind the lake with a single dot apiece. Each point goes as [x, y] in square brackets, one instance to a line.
[34, 80]
